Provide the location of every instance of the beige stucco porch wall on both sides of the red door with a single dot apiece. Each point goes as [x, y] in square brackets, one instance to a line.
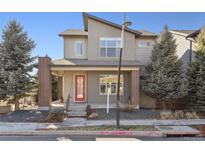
[93, 88]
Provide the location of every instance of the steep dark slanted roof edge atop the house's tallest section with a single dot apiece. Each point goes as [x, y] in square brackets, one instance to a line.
[86, 16]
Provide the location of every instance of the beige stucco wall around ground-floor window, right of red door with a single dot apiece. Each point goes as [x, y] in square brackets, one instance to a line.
[94, 96]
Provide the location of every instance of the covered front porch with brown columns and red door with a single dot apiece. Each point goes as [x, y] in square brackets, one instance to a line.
[87, 84]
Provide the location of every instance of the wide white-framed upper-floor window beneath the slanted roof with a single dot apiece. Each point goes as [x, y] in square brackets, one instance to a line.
[110, 47]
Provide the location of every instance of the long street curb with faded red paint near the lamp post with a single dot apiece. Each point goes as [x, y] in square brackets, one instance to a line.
[99, 133]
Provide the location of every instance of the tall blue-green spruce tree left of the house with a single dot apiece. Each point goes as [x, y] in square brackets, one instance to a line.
[16, 50]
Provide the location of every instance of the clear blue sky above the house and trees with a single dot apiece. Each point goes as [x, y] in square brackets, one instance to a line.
[44, 28]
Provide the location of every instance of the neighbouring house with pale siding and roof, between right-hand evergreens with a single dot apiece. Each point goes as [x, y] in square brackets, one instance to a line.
[185, 45]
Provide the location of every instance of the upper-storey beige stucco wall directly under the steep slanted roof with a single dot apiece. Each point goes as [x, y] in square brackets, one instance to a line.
[97, 30]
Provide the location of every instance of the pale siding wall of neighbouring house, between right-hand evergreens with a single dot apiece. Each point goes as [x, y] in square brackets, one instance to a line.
[183, 48]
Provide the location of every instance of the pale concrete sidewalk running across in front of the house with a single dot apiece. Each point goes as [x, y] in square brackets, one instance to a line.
[78, 122]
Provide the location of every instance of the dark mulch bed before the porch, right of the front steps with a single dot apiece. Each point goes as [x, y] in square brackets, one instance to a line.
[135, 114]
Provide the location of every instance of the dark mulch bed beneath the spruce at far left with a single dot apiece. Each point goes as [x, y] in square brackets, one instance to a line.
[24, 116]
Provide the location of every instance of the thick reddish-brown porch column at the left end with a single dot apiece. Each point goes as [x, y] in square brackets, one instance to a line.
[44, 76]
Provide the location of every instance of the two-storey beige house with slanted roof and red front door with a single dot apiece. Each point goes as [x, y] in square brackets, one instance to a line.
[90, 63]
